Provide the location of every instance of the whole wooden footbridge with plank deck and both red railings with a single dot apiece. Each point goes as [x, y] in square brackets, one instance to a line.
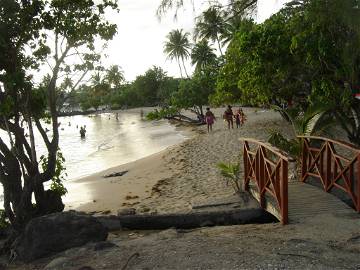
[328, 168]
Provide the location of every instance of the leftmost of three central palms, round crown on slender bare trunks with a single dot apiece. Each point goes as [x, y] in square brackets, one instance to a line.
[177, 46]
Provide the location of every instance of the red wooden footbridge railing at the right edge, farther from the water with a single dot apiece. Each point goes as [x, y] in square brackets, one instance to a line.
[332, 168]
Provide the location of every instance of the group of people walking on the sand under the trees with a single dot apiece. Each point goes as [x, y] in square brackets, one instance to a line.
[229, 116]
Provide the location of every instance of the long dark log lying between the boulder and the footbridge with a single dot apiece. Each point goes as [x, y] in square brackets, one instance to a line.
[186, 221]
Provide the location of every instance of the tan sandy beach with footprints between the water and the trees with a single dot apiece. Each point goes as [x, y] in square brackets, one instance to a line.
[173, 179]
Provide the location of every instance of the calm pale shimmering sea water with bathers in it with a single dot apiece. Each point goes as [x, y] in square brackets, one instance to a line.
[109, 141]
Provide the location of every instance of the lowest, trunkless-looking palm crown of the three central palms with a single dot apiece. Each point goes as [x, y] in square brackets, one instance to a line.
[202, 55]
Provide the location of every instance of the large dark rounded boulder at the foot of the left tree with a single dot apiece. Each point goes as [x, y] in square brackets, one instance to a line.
[57, 232]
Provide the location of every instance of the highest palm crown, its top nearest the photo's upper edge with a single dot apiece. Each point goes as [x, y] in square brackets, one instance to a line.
[211, 25]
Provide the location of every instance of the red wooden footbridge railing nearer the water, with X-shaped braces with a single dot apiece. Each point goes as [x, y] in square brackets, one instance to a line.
[267, 166]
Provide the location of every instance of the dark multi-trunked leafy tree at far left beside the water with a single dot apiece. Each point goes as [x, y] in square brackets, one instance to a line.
[73, 25]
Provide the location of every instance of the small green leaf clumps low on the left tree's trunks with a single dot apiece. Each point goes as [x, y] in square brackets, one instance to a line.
[59, 175]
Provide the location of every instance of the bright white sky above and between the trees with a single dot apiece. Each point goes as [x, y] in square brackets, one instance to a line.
[139, 42]
